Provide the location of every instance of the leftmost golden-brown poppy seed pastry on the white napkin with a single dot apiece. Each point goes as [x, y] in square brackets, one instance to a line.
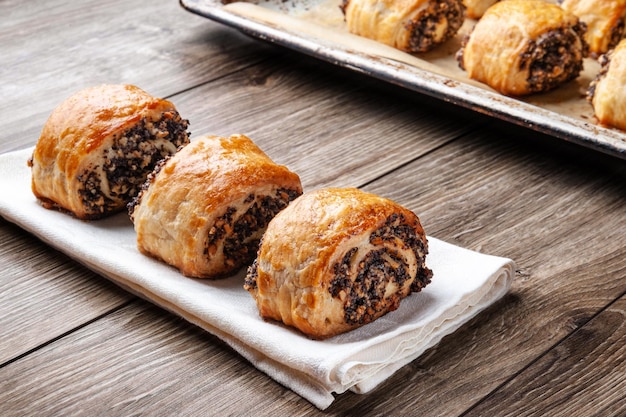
[98, 146]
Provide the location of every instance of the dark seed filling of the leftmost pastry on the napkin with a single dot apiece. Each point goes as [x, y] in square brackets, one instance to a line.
[128, 162]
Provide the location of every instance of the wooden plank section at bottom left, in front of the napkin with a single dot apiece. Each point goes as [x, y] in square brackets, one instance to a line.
[140, 358]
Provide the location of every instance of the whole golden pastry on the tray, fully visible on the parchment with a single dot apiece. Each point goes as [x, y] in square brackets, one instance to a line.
[521, 47]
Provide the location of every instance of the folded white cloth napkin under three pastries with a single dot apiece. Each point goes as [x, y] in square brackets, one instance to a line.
[464, 283]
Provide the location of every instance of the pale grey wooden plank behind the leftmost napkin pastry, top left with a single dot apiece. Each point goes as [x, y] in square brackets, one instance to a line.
[50, 52]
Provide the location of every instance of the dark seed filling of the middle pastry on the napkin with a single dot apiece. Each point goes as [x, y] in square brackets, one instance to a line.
[242, 234]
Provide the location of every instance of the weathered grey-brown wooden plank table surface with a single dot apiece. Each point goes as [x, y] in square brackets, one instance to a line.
[73, 343]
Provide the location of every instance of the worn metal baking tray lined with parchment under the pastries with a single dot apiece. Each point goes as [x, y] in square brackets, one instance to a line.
[317, 28]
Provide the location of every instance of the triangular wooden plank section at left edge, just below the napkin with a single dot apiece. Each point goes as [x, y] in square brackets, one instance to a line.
[44, 294]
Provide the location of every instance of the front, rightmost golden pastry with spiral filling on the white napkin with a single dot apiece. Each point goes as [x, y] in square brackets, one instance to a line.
[336, 259]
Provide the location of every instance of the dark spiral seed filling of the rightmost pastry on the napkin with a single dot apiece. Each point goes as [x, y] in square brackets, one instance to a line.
[364, 297]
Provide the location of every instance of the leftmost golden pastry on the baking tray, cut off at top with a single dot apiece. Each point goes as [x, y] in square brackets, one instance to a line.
[411, 26]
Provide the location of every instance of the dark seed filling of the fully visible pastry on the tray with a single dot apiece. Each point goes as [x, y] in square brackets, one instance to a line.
[555, 57]
